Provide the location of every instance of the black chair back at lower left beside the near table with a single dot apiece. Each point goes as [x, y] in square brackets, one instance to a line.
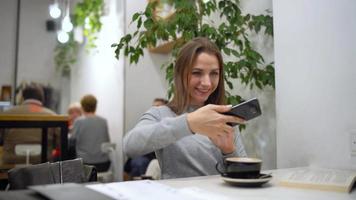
[69, 171]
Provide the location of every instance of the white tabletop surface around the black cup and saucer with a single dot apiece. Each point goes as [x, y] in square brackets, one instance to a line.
[270, 190]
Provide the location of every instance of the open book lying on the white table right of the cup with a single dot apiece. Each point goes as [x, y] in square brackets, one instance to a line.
[320, 178]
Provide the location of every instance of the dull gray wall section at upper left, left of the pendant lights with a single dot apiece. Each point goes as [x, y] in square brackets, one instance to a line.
[36, 53]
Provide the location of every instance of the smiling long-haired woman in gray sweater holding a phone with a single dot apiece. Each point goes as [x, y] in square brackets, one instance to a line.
[190, 135]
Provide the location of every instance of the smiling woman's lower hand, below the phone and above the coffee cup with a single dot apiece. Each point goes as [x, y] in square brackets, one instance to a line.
[225, 142]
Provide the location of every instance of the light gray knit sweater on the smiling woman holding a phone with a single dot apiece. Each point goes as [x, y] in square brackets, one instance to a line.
[180, 152]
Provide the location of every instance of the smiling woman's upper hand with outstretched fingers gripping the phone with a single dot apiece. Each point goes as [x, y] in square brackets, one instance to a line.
[209, 121]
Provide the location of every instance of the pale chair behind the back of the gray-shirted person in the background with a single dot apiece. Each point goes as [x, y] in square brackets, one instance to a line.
[112, 174]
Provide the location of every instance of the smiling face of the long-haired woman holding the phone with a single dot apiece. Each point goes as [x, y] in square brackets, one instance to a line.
[204, 78]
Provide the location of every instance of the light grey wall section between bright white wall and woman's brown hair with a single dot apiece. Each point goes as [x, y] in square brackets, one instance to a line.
[144, 81]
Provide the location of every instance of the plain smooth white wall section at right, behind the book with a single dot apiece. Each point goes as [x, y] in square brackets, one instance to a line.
[315, 90]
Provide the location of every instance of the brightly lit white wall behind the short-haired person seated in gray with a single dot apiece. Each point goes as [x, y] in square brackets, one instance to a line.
[100, 74]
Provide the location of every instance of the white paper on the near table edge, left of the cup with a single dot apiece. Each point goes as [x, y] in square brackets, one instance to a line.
[150, 190]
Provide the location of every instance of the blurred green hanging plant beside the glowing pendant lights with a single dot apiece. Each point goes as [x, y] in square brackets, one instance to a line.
[86, 16]
